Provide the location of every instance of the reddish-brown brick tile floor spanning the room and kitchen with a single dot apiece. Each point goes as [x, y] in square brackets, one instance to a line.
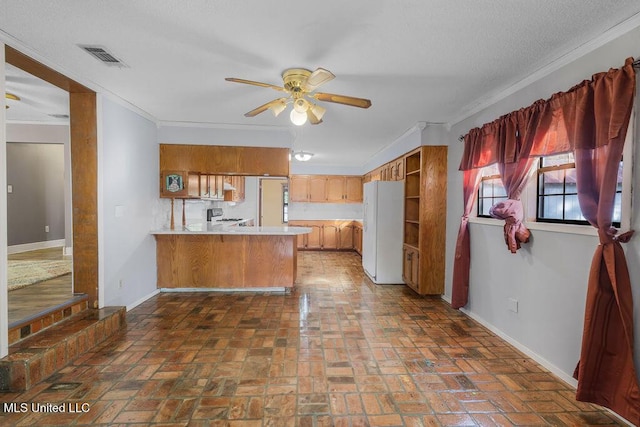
[336, 351]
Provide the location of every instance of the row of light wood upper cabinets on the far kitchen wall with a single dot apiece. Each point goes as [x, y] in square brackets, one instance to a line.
[325, 188]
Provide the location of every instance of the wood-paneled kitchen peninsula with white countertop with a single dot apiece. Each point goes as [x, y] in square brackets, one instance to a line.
[222, 257]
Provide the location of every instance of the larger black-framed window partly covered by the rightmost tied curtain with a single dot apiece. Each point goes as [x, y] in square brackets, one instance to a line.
[557, 195]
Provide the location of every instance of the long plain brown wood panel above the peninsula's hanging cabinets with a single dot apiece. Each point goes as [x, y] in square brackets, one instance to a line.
[225, 160]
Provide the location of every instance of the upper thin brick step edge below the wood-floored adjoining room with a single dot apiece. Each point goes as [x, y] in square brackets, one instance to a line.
[38, 322]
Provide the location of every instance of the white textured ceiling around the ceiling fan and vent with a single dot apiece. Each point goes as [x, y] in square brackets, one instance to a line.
[417, 60]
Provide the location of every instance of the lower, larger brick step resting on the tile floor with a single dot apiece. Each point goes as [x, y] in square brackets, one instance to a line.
[37, 357]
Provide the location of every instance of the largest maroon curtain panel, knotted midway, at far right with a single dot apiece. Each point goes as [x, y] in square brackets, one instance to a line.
[596, 115]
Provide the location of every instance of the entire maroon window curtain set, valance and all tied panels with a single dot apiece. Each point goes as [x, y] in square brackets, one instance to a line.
[590, 120]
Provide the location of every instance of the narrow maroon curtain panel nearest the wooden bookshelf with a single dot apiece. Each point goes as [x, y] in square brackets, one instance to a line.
[462, 260]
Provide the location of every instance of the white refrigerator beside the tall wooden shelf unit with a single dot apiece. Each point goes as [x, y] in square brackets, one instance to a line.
[382, 231]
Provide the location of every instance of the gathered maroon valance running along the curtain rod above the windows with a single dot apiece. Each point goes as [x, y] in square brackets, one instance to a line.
[563, 123]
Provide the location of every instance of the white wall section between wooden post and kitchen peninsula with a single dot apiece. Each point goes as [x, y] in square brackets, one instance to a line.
[128, 171]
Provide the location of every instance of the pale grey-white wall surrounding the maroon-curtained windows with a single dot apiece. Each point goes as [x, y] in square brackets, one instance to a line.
[549, 275]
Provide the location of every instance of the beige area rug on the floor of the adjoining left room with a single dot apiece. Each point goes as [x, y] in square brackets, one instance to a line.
[25, 273]
